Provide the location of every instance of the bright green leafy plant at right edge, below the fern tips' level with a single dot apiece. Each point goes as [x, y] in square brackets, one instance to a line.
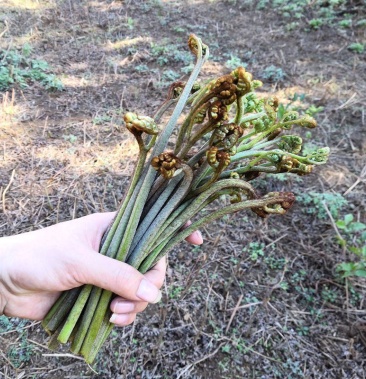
[354, 240]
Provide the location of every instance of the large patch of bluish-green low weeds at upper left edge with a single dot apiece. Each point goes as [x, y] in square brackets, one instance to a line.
[18, 69]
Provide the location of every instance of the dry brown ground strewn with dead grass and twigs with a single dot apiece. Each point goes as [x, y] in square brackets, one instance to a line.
[260, 299]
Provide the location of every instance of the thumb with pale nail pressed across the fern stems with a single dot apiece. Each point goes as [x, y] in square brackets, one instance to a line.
[118, 277]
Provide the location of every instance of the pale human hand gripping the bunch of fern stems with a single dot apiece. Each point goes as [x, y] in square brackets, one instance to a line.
[36, 267]
